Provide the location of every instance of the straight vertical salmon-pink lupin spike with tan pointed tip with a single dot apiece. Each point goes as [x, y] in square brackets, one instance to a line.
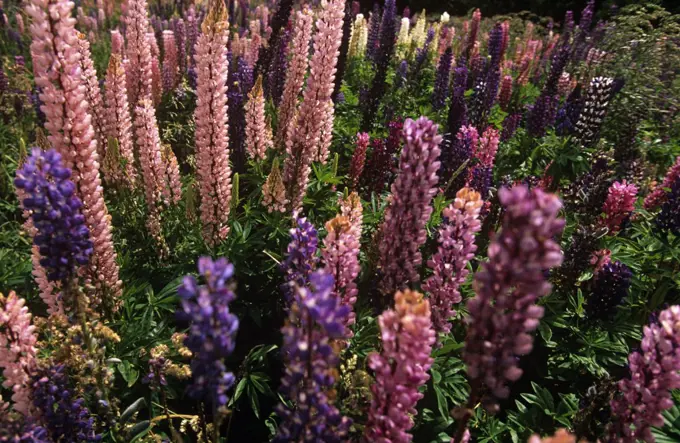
[212, 128]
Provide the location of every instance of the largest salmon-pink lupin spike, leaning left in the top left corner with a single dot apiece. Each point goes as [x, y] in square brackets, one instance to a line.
[63, 95]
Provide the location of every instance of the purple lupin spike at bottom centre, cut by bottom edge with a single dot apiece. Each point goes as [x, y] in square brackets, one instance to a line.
[316, 318]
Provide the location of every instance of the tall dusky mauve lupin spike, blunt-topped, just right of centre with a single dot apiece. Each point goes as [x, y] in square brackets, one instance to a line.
[403, 228]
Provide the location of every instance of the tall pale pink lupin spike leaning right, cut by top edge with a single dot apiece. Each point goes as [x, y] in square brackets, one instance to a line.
[303, 142]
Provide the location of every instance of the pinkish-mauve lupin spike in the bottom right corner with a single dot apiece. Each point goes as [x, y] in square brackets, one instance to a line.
[654, 372]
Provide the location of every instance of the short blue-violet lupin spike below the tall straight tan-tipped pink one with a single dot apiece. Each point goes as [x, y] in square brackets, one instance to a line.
[212, 328]
